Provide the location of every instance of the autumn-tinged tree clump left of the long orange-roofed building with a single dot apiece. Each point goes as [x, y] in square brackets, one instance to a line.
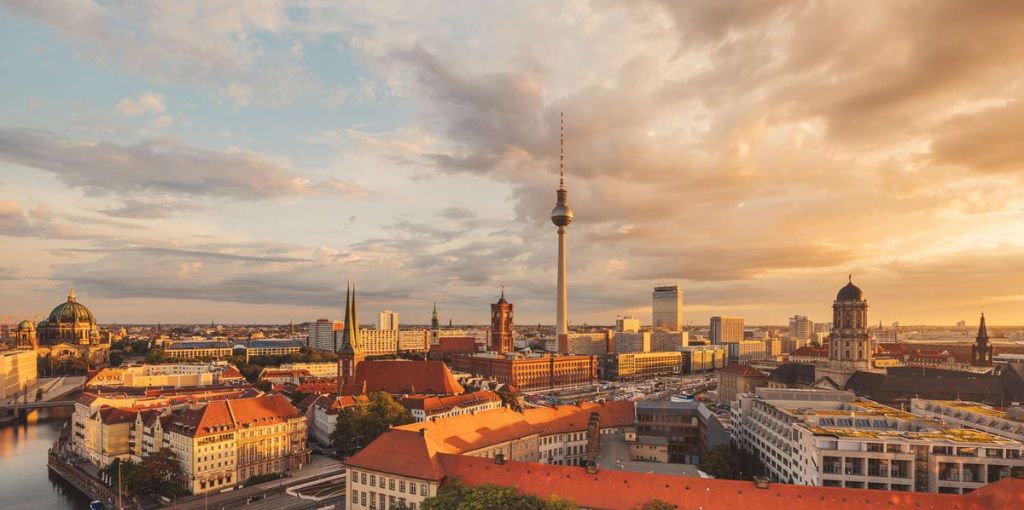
[361, 424]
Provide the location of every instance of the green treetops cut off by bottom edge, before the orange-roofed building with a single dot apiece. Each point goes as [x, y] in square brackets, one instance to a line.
[455, 496]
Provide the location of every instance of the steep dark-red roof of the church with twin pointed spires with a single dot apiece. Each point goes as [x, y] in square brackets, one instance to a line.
[402, 377]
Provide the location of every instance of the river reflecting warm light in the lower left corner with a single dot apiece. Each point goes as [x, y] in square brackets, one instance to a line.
[26, 484]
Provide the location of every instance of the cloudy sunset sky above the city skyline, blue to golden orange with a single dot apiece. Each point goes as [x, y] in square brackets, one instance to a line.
[240, 161]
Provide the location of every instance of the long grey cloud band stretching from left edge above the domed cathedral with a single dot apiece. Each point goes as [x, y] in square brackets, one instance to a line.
[161, 167]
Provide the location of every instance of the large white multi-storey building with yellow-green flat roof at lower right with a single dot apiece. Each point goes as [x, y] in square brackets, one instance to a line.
[832, 439]
